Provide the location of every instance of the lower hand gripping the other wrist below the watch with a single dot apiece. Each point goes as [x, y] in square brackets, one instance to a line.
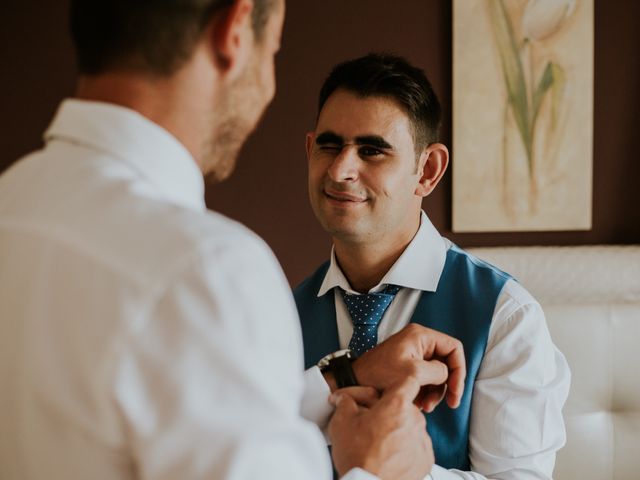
[385, 436]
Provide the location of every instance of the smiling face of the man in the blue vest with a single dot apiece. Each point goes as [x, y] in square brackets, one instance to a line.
[362, 169]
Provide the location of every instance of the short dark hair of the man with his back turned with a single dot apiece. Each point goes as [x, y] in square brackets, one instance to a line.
[155, 36]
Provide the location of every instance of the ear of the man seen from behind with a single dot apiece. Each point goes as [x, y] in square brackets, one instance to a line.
[231, 37]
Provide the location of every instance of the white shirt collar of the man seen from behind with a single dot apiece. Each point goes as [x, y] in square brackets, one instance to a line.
[132, 138]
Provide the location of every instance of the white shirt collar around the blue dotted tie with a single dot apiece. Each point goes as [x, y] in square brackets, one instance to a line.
[419, 267]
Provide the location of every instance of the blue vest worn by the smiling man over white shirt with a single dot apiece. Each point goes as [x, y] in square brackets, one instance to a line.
[462, 307]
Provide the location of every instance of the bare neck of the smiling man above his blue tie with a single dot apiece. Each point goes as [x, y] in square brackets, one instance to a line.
[365, 264]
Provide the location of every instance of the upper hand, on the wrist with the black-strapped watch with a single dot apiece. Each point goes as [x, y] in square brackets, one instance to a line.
[432, 359]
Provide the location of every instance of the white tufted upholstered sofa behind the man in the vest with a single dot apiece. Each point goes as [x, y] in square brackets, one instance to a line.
[591, 297]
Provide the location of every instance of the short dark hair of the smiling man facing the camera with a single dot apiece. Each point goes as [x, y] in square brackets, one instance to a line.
[388, 75]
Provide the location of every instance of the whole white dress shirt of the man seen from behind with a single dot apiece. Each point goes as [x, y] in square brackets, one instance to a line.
[141, 336]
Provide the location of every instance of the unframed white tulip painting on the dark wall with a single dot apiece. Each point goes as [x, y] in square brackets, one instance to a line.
[522, 115]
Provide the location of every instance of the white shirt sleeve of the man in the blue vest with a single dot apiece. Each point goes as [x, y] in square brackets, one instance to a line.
[516, 413]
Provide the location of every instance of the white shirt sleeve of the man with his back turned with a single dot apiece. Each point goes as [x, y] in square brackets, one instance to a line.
[210, 381]
